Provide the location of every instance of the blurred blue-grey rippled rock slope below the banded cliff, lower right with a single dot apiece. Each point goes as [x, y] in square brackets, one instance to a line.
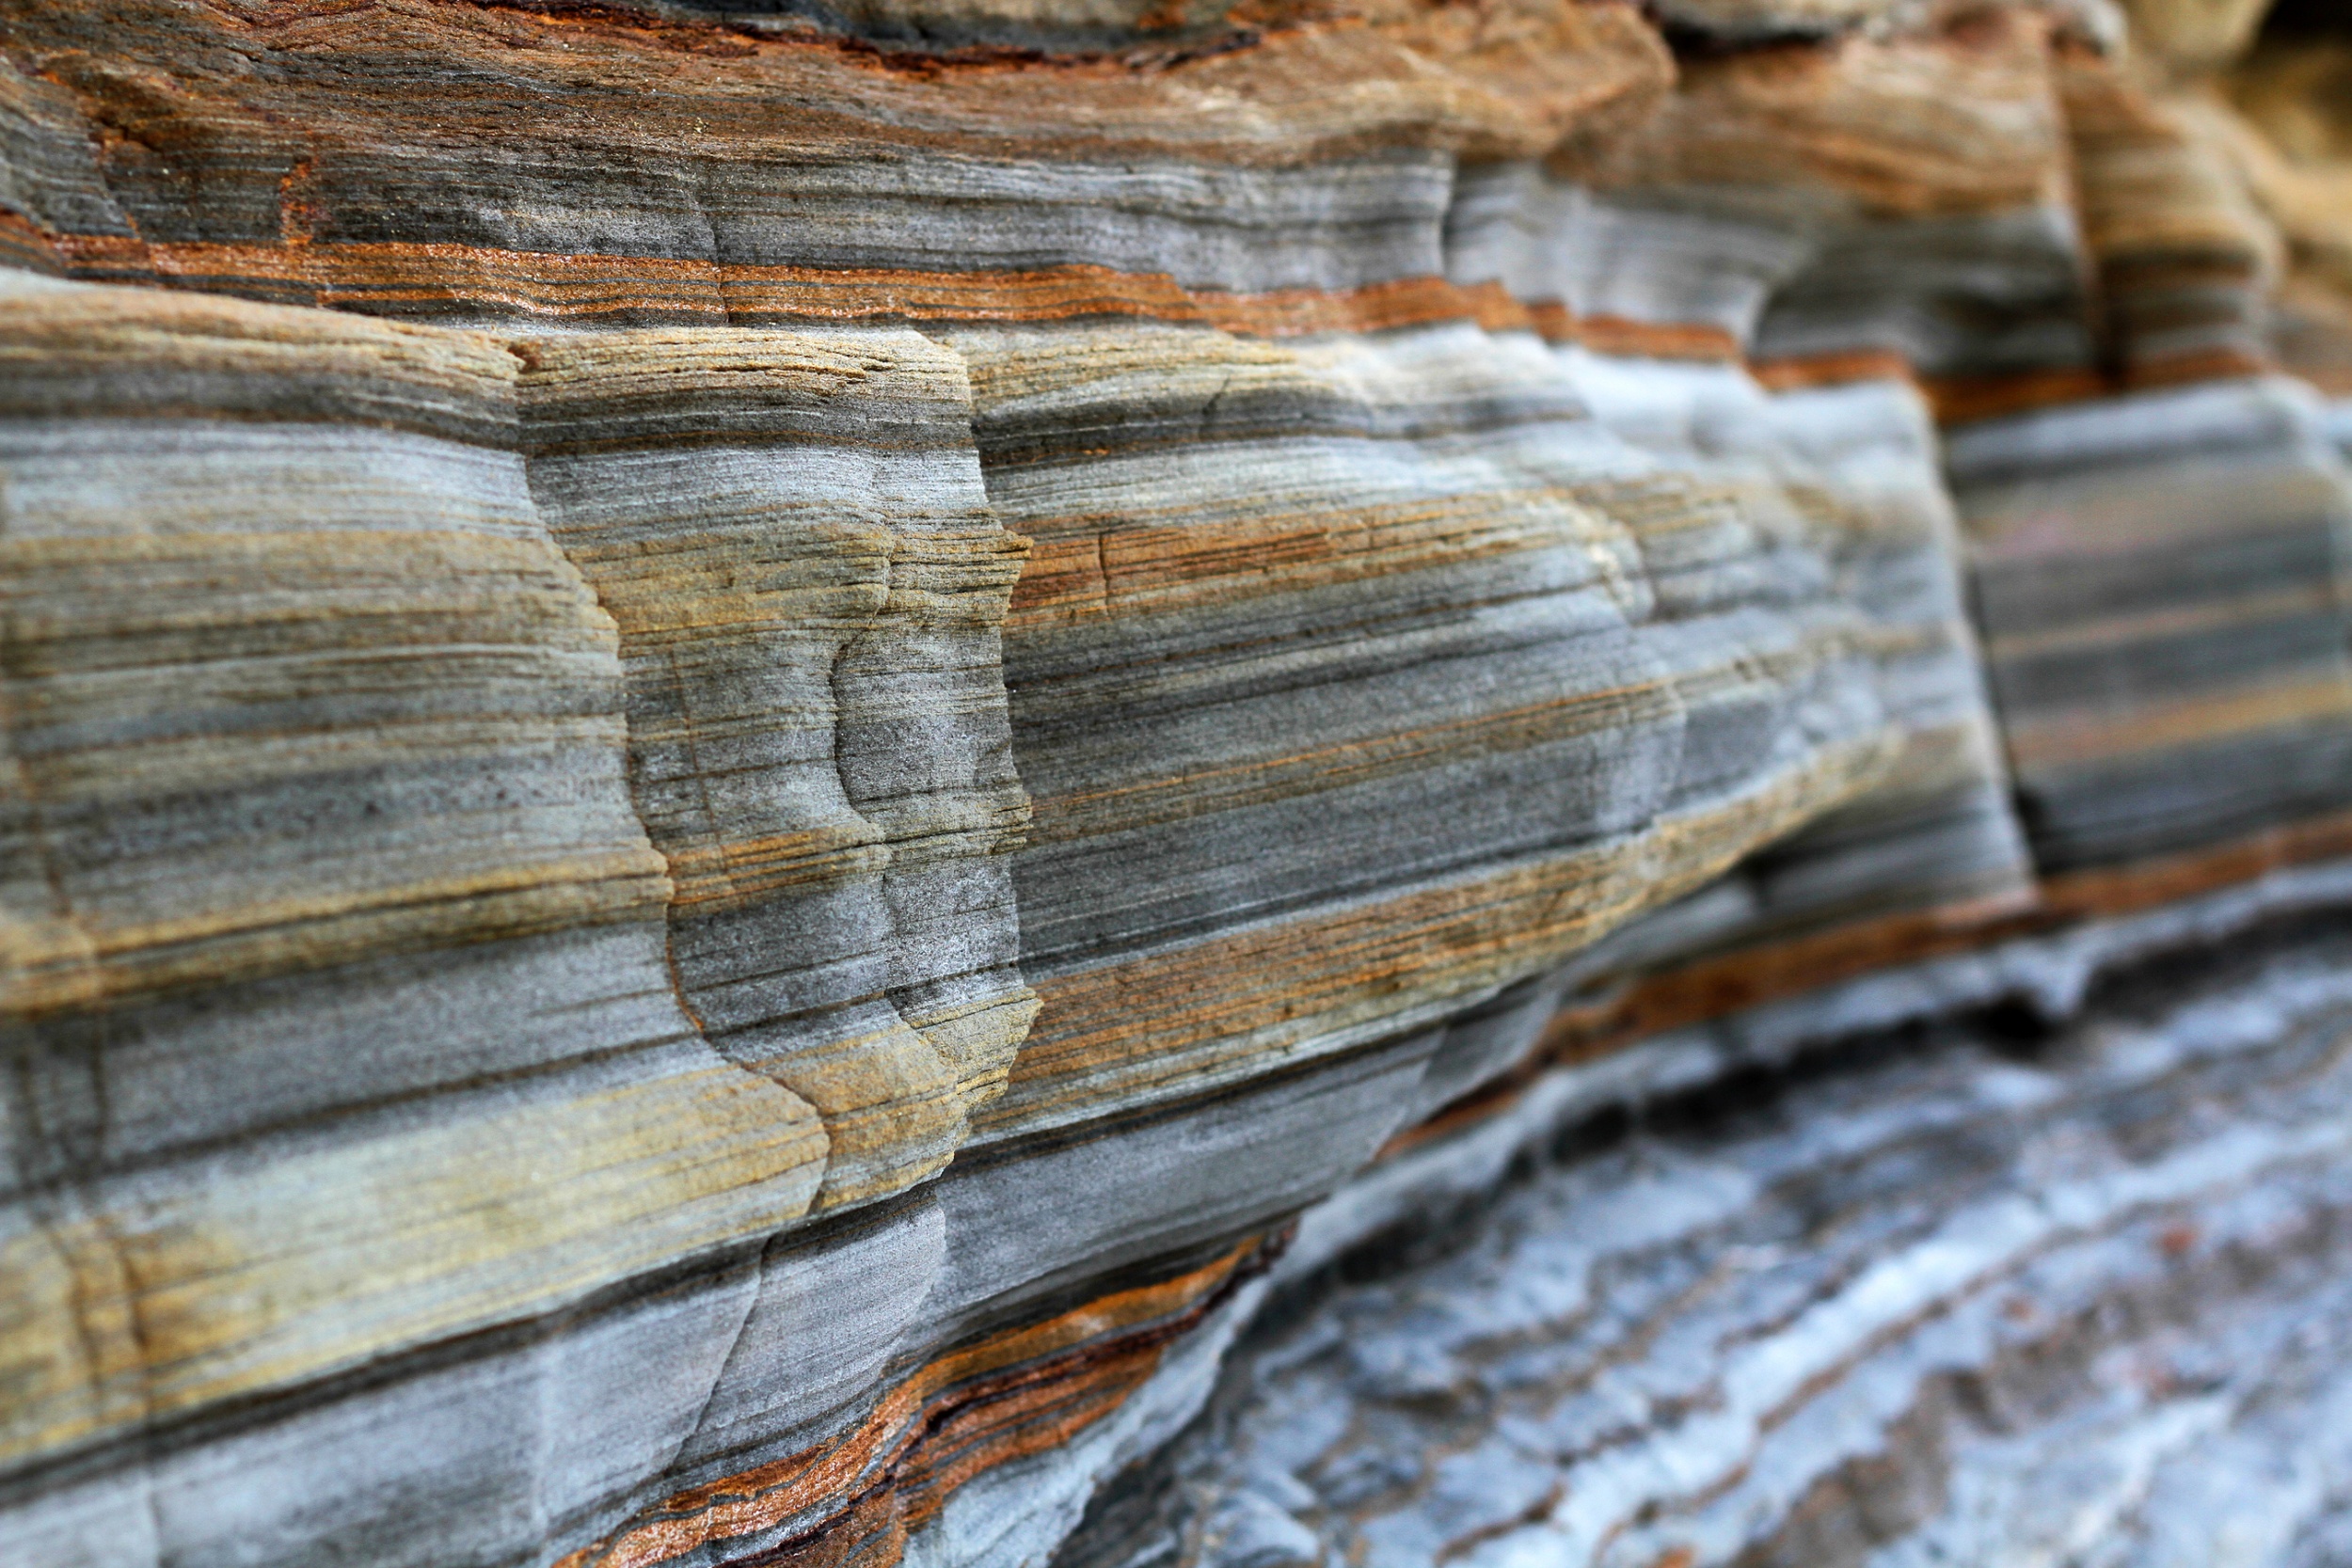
[1930, 1301]
